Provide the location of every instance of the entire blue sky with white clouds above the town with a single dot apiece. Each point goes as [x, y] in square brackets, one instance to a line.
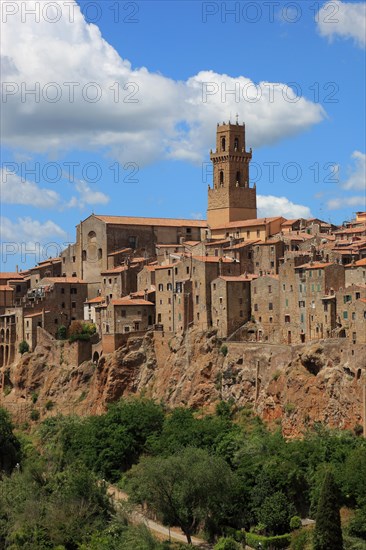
[132, 134]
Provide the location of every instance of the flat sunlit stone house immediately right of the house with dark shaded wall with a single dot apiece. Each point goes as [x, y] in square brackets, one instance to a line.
[266, 307]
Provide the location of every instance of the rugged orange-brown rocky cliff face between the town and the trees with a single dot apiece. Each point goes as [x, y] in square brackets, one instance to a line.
[297, 385]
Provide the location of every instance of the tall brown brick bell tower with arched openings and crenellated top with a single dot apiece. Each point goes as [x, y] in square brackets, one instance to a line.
[231, 199]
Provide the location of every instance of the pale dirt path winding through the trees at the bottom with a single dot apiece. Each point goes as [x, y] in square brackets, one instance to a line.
[138, 517]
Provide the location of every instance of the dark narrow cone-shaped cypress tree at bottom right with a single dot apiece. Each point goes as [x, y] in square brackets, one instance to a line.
[328, 532]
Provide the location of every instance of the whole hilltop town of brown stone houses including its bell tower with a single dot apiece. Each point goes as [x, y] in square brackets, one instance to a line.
[262, 280]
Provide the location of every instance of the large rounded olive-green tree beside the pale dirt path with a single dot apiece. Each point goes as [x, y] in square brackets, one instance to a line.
[186, 490]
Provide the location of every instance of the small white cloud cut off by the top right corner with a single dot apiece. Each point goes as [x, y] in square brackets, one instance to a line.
[347, 20]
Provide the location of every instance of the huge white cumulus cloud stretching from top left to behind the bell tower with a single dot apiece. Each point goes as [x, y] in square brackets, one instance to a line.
[88, 97]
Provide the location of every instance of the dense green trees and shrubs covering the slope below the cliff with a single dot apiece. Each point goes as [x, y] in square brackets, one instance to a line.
[221, 473]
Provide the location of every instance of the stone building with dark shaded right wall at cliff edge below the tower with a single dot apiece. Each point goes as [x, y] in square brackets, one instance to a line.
[230, 303]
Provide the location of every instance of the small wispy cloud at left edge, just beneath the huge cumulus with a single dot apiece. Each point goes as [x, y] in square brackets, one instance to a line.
[17, 190]
